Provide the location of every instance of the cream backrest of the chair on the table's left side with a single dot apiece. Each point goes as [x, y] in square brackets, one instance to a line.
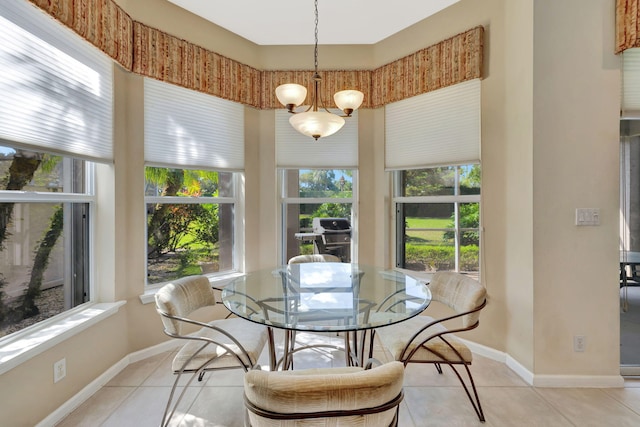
[180, 298]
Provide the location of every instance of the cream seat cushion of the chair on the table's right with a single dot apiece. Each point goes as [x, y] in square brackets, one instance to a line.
[396, 337]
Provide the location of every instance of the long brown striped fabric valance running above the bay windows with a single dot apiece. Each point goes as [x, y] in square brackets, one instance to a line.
[153, 53]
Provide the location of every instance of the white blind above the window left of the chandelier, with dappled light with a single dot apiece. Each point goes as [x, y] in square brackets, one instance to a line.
[192, 130]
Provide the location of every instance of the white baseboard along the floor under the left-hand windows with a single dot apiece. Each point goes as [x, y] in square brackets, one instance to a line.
[83, 395]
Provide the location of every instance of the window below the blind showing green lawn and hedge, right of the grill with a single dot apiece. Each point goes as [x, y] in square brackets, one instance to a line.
[437, 218]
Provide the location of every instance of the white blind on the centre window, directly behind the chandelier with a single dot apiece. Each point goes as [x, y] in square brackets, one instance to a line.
[294, 150]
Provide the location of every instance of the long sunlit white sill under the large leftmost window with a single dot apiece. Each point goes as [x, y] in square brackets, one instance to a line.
[22, 346]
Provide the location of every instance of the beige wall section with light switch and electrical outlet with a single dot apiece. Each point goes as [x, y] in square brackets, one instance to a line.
[575, 162]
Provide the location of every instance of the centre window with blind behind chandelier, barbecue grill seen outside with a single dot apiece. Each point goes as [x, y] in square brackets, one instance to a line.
[317, 180]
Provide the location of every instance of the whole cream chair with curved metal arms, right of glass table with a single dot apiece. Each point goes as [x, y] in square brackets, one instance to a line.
[423, 339]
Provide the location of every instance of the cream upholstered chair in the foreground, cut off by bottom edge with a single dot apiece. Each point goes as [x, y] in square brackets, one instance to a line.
[335, 397]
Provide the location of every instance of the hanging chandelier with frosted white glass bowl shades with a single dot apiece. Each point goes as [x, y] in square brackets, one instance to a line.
[312, 122]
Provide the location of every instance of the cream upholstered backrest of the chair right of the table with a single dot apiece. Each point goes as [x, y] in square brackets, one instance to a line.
[459, 292]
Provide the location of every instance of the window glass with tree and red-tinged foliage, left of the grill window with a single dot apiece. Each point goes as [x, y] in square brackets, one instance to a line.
[190, 222]
